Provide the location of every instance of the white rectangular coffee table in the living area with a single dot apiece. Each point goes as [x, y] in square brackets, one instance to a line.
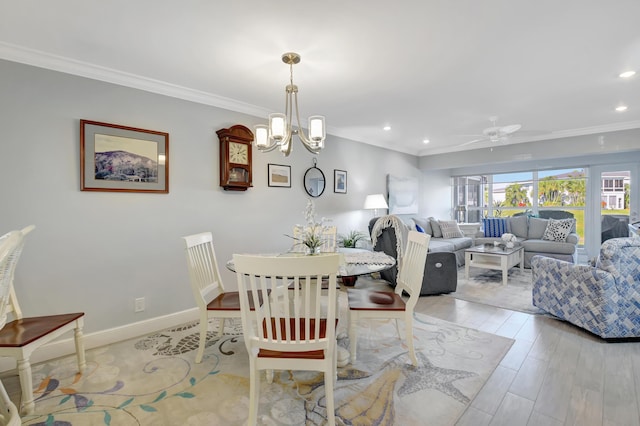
[488, 256]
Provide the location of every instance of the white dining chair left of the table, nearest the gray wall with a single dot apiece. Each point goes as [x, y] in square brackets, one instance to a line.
[208, 289]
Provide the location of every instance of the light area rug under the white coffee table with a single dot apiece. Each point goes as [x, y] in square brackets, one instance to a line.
[485, 286]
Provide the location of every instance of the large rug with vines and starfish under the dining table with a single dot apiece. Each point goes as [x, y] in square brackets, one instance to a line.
[153, 380]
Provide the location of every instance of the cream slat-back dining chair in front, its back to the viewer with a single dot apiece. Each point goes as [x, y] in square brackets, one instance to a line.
[299, 338]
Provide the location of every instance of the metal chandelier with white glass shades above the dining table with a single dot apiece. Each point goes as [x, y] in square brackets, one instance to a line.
[280, 129]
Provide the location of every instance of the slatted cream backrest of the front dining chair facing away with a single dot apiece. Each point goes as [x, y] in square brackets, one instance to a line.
[305, 319]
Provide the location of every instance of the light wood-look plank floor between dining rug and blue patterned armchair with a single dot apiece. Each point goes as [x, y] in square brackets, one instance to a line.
[554, 374]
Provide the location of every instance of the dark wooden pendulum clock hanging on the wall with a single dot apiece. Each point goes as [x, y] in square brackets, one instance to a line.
[235, 158]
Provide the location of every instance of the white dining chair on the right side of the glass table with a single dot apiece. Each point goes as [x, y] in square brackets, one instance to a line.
[374, 304]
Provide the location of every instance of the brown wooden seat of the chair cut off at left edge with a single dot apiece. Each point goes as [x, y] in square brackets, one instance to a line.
[18, 333]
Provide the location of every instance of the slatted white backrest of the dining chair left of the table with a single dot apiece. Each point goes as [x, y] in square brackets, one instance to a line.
[204, 274]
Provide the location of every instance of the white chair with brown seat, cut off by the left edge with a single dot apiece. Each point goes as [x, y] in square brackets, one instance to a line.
[20, 337]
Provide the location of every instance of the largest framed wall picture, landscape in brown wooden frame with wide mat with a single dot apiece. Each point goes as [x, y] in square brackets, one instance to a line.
[121, 158]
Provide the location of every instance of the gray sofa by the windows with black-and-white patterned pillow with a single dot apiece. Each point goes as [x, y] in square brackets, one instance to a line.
[529, 232]
